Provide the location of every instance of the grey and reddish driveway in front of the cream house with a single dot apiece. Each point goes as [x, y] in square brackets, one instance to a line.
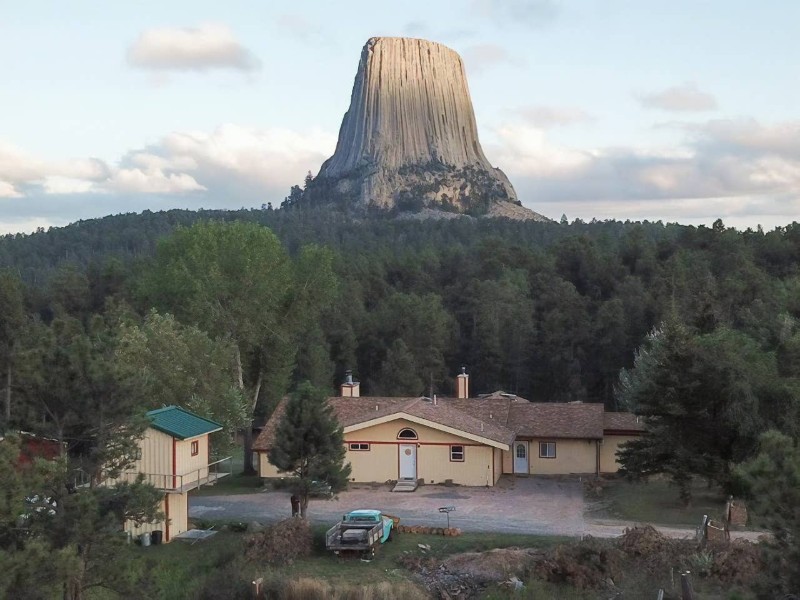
[535, 505]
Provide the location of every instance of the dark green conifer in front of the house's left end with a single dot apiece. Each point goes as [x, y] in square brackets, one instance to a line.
[309, 444]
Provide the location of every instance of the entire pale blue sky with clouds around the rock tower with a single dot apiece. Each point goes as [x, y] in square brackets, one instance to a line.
[681, 111]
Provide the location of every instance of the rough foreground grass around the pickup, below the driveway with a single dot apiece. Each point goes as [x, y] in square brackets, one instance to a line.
[215, 568]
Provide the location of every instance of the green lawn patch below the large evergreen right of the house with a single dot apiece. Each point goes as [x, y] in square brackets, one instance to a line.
[656, 502]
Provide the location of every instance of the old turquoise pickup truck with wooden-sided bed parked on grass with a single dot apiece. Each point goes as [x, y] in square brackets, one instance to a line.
[360, 531]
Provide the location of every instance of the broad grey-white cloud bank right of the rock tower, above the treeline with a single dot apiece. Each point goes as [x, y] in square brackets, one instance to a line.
[730, 169]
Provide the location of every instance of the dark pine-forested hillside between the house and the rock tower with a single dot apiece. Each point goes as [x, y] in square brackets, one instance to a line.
[549, 311]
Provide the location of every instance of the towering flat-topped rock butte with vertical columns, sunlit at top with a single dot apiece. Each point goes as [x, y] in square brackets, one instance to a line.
[409, 139]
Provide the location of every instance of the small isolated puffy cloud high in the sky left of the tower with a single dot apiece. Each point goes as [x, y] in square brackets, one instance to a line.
[210, 46]
